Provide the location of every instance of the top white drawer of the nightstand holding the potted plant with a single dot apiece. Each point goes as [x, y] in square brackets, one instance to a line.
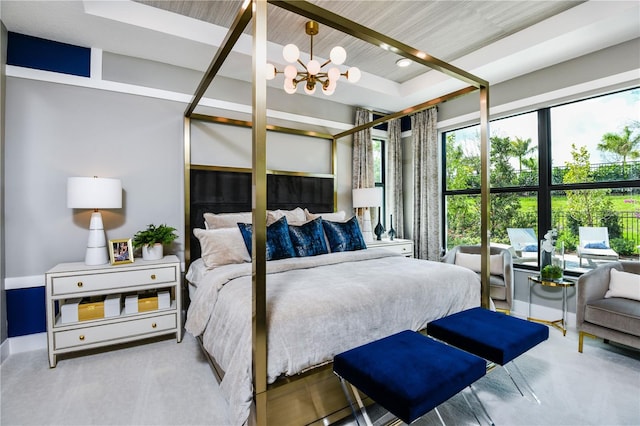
[112, 280]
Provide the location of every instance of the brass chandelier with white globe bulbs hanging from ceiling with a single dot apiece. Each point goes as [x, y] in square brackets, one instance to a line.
[312, 73]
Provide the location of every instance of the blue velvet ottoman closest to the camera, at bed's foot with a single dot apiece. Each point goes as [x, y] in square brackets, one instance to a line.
[407, 373]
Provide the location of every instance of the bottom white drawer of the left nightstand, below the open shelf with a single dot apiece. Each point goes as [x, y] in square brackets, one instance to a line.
[104, 333]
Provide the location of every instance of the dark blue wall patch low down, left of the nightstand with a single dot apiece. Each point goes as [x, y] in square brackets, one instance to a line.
[26, 311]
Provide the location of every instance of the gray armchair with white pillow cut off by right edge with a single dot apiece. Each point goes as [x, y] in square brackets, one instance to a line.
[615, 318]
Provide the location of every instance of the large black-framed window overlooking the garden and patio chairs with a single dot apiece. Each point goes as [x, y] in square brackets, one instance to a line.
[585, 173]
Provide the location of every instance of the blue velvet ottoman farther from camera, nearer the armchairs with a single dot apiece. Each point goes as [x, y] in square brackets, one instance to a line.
[493, 336]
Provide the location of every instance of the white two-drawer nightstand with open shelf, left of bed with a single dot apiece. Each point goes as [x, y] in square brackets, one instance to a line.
[68, 282]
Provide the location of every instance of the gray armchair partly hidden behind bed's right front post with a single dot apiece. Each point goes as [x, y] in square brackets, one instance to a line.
[501, 282]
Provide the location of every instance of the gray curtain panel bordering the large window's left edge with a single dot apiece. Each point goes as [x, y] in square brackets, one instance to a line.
[426, 210]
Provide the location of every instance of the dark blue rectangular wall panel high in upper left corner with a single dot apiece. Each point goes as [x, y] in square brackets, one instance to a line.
[33, 52]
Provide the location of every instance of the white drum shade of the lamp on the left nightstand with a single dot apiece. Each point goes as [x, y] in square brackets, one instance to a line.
[94, 193]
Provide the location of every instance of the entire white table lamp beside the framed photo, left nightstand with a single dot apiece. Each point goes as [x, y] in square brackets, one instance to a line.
[95, 193]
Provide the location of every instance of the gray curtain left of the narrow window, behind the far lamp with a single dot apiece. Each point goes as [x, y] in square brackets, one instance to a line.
[362, 170]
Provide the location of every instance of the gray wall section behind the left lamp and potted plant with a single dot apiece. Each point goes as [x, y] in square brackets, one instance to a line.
[55, 131]
